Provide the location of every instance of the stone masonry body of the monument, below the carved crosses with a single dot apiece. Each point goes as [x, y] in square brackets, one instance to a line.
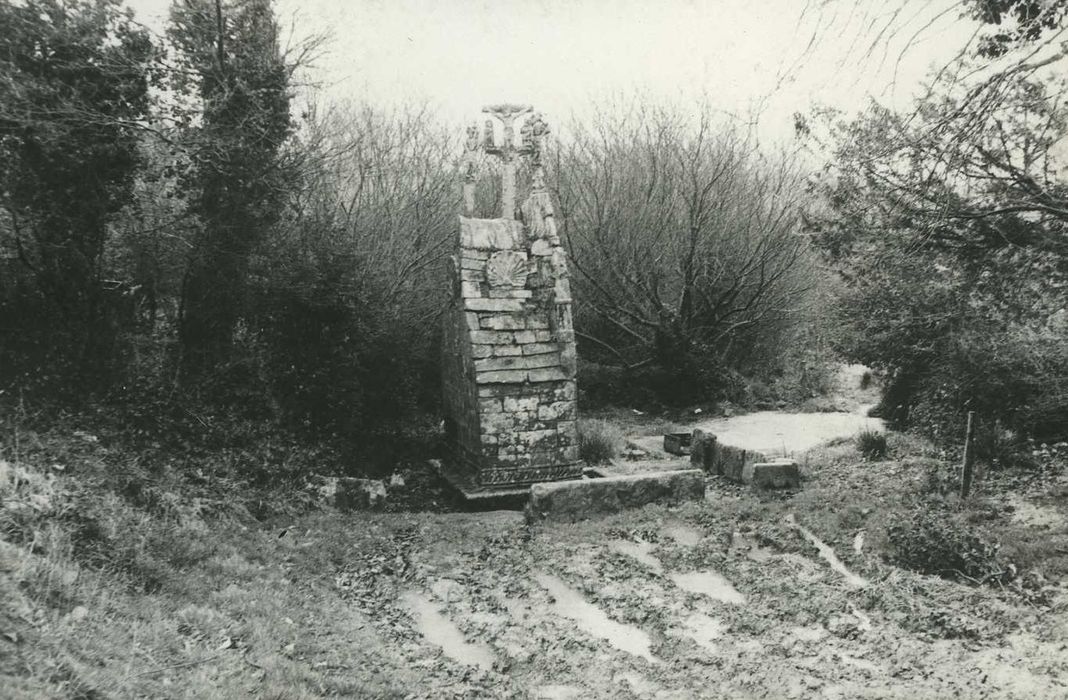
[510, 366]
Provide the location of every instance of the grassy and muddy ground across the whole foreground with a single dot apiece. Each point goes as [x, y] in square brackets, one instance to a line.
[742, 596]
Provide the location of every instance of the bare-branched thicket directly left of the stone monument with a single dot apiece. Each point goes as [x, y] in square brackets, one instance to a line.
[352, 279]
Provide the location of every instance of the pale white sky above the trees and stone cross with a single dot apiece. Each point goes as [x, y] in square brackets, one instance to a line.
[563, 56]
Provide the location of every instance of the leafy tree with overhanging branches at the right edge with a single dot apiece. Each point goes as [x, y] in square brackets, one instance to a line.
[951, 227]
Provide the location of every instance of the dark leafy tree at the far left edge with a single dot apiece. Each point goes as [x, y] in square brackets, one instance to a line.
[74, 90]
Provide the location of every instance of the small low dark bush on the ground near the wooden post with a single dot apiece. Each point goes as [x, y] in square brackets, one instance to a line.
[936, 543]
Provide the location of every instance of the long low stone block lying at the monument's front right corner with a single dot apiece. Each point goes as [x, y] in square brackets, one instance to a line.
[580, 500]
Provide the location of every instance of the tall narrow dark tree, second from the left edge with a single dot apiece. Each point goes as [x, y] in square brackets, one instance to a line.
[231, 59]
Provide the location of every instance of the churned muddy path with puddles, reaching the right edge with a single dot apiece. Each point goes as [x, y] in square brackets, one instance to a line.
[678, 603]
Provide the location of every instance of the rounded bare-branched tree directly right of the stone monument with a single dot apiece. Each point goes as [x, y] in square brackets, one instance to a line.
[683, 237]
